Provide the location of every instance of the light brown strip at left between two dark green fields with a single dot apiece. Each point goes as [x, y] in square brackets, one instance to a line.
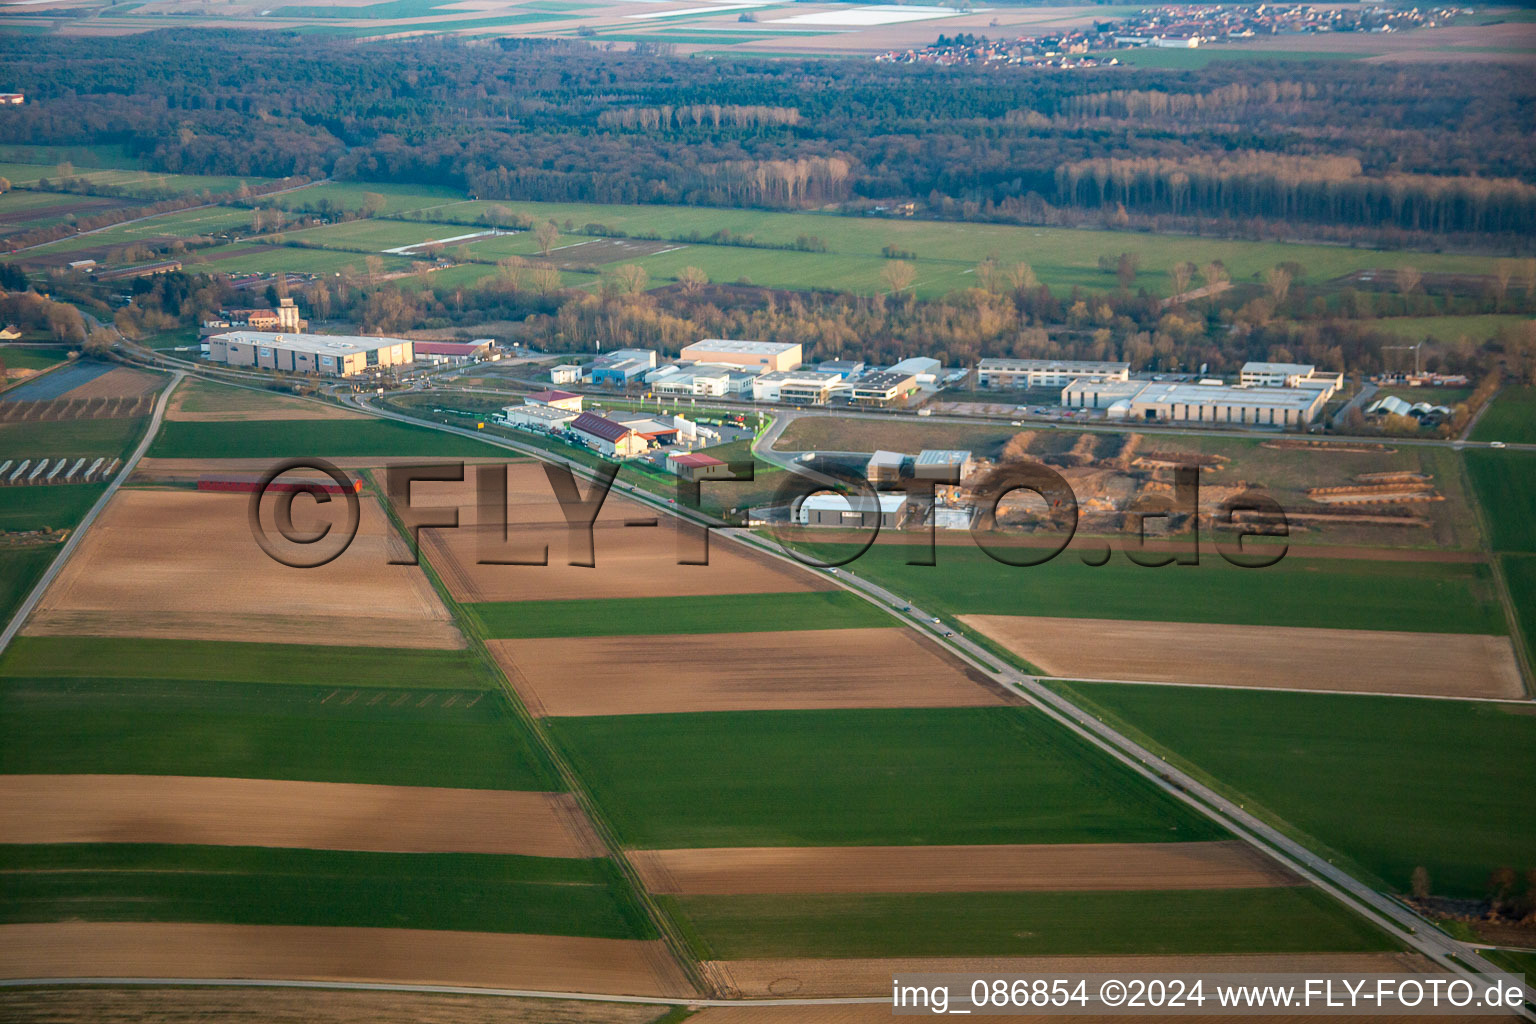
[291, 814]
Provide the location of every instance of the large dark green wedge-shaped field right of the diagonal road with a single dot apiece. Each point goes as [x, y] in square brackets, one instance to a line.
[1388, 784]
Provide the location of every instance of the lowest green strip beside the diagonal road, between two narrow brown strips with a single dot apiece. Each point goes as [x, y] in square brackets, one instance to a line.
[1289, 920]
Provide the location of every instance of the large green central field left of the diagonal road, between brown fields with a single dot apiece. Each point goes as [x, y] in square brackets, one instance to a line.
[862, 778]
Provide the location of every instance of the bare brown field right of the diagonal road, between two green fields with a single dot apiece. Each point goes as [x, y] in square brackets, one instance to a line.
[1286, 658]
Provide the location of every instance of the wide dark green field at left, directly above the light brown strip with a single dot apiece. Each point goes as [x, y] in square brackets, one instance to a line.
[386, 736]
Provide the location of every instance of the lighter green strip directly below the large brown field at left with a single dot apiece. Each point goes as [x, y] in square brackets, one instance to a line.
[359, 667]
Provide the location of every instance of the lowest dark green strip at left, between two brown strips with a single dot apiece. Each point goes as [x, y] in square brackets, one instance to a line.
[248, 885]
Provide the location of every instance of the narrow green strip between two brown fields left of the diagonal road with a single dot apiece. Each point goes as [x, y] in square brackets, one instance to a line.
[641, 616]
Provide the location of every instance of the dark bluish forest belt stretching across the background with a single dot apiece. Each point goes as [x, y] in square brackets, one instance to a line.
[1339, 151]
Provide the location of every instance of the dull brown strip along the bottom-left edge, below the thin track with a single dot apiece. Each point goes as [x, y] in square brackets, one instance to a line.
[297, 1006]
